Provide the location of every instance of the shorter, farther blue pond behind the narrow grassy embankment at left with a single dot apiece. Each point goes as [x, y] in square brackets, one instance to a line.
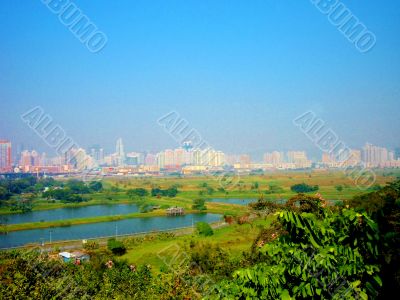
[70, 213]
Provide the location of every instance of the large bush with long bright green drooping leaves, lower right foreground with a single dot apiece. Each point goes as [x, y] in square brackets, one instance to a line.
[335, 257]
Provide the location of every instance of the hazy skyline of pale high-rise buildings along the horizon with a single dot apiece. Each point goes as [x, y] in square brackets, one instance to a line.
[185, 160]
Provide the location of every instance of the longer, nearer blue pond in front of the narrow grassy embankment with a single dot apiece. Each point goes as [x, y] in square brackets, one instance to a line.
[86, 231]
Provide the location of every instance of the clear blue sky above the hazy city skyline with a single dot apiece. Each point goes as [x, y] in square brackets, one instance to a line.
[238, 71]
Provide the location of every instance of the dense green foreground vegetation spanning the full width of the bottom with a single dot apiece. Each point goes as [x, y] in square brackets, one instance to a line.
[311, 250]
